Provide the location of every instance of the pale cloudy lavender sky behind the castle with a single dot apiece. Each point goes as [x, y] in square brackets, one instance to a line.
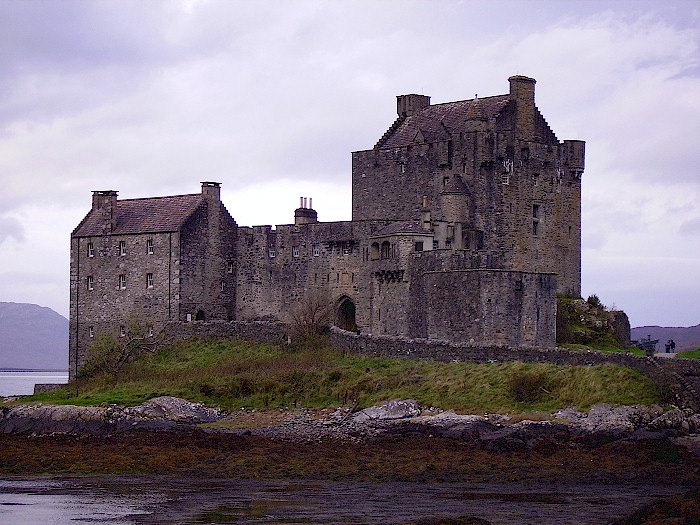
[271, 97]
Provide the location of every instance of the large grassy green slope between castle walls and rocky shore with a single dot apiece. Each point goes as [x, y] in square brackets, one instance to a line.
[241, 374]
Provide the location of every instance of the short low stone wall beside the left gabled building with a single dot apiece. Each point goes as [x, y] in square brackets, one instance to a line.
[263, 331]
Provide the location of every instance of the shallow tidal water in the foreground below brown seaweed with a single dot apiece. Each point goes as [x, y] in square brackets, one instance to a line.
[135, 500]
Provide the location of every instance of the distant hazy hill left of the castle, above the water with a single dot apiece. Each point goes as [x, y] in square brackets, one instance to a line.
[32, 336]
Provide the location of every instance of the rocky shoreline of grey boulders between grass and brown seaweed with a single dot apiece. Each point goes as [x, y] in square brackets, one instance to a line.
[569, 427]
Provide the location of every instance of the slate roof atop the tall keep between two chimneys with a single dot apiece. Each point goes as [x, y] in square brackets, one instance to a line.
[437, 122]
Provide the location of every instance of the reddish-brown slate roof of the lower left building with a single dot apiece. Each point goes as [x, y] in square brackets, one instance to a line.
[152, 215]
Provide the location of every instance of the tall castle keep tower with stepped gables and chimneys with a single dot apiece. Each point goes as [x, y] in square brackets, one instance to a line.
[494, 175]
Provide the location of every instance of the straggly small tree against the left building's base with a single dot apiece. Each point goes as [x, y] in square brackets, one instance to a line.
[108, 354]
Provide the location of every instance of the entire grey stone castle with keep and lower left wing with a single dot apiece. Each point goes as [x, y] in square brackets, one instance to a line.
[466, 224]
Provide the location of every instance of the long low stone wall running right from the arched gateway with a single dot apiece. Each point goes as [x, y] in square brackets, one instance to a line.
[665, 373]
